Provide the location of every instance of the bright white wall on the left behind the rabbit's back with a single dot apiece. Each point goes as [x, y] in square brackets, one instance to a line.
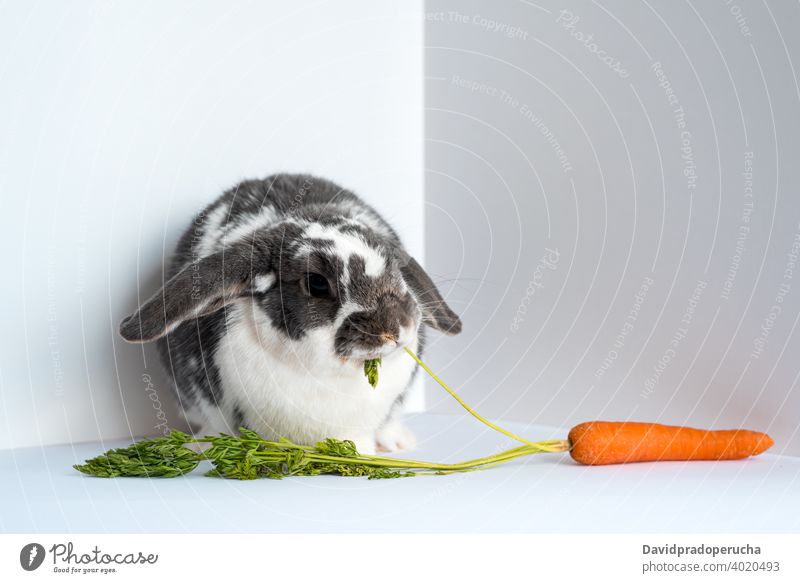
[118, 120]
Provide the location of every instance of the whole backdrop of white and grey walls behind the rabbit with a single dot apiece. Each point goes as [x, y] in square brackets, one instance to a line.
[119, 120]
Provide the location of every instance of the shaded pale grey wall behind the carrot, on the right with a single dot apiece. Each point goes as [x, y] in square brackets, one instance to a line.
[550, 131]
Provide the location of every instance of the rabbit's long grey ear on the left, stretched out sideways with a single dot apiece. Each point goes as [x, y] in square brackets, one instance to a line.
[200, 288]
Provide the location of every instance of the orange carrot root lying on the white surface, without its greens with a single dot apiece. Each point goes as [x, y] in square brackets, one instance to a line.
[605, 442]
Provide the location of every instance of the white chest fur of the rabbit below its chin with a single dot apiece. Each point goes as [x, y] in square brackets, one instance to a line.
[298, 389]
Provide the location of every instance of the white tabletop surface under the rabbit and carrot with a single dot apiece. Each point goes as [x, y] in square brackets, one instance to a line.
[40, 492]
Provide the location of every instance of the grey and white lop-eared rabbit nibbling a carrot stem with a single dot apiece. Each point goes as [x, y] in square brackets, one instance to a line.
[277, 294]
